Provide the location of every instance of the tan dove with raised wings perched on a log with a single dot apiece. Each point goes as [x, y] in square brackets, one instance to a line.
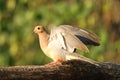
[63, 41]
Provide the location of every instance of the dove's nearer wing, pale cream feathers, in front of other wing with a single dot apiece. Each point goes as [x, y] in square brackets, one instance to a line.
[66, 40]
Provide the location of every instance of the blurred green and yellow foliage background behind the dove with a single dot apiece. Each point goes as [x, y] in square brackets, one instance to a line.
[18, 46]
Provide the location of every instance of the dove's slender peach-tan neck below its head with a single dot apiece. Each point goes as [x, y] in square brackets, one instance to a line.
[43, 40]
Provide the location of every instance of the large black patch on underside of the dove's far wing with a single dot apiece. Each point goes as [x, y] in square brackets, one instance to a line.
[87, 41]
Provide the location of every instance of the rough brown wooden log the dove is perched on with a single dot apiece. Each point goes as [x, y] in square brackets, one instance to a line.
[69, 70]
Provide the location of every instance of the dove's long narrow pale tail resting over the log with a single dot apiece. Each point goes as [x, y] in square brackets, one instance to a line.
[80, 57]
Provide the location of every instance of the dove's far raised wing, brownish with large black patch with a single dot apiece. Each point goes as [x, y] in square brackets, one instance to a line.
[86, 37]
